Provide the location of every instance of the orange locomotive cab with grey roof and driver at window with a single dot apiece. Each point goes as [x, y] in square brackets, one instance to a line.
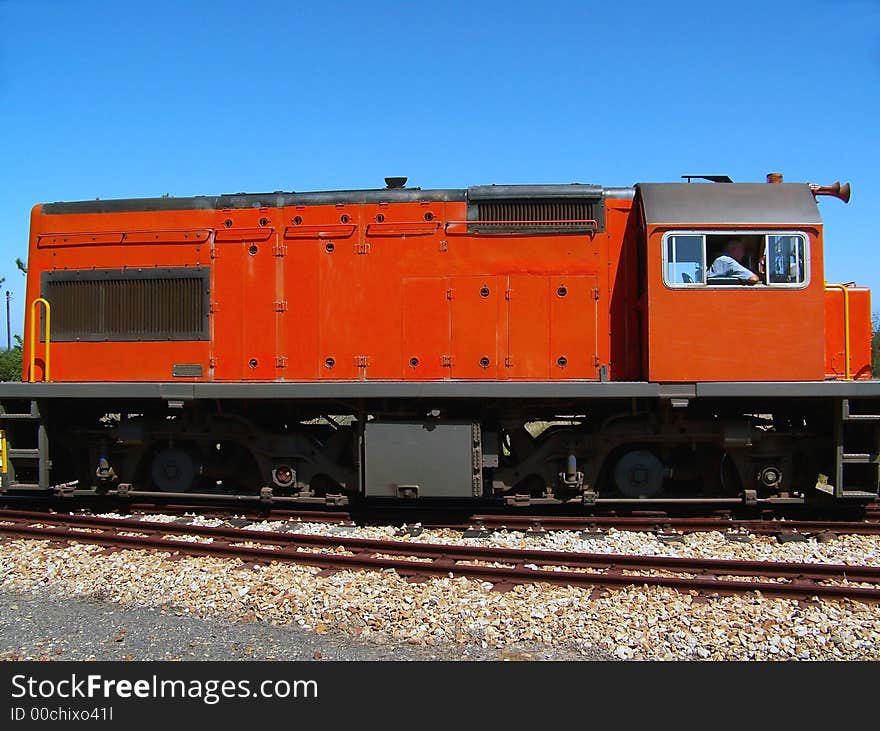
[711, 328]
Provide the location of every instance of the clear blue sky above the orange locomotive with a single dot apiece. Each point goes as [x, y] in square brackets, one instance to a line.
[127, 99]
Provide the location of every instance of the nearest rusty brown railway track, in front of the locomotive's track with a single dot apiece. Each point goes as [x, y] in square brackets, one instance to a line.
[502, 567]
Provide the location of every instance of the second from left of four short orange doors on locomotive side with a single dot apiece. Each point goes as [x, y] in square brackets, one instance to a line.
[475, 318]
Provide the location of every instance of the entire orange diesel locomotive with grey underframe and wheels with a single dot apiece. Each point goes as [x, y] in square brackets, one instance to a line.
[537, 343]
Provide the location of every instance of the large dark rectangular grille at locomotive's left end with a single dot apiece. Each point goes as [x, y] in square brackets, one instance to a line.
[162, 304]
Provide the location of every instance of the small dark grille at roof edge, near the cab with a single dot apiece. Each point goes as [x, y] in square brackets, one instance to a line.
[564, 214]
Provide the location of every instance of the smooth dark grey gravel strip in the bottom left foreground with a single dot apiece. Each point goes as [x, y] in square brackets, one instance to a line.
[41, 626]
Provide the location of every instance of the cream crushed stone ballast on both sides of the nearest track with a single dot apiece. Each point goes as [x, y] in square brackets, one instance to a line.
[630, 623]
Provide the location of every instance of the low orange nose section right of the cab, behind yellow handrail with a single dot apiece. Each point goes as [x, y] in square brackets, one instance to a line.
[859, 333]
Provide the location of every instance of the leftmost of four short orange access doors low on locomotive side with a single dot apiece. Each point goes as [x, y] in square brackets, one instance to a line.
[426, 328]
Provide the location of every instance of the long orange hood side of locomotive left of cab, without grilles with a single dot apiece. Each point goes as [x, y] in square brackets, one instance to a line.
[345, 292]
